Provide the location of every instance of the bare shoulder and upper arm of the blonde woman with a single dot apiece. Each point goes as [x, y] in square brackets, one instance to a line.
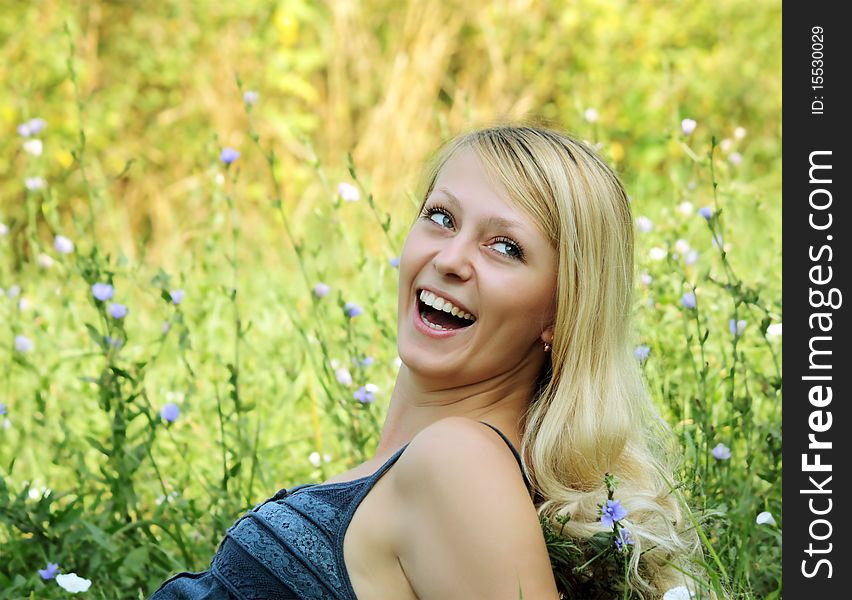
[466, 526]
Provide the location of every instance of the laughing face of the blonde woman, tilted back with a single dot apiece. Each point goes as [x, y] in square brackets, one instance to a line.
[504, 274]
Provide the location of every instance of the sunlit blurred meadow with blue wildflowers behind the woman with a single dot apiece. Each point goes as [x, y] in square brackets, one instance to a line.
[201, 209]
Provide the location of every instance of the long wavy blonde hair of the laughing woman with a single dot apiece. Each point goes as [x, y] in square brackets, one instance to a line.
[591, 413]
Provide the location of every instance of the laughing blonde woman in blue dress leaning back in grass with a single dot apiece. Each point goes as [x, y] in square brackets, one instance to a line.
[515, 294]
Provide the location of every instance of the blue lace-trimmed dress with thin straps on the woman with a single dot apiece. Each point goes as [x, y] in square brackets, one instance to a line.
[289, 547]
